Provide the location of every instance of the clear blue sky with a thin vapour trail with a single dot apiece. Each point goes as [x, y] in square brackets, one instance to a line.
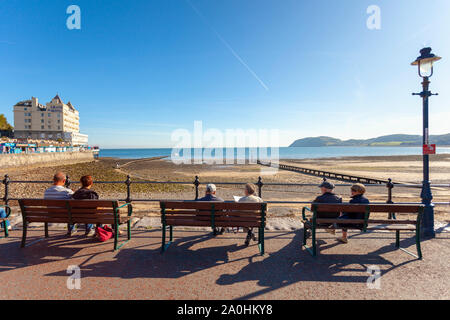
[138, 70]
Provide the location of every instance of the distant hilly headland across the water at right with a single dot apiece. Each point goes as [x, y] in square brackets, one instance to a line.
[393, 140]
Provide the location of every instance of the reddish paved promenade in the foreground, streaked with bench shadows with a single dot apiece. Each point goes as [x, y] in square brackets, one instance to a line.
[198, 266]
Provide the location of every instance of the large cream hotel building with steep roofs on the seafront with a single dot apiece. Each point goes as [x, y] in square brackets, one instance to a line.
[54, 121]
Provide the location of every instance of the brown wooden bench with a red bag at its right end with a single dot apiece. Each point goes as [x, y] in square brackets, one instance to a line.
[75, 211]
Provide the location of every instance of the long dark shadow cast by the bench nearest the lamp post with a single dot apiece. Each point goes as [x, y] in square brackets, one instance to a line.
[292, 264]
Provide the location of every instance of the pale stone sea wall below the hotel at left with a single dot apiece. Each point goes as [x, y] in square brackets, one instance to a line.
[44, 159]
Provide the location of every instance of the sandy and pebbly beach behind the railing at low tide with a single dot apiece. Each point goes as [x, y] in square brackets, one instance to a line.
[399, 168]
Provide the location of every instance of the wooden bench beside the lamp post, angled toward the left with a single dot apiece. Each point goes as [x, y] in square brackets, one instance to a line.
[316, 222]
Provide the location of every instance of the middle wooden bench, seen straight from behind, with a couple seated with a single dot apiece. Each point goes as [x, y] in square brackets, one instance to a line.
[214, 215]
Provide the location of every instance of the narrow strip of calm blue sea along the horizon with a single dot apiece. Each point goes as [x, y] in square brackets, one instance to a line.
[283, 152]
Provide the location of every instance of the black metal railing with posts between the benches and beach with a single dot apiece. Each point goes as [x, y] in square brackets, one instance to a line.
[197, 183]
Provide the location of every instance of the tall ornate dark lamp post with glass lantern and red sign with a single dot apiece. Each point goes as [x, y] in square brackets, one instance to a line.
[425, 67]
